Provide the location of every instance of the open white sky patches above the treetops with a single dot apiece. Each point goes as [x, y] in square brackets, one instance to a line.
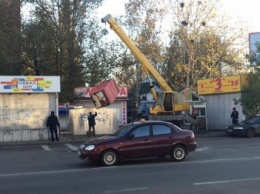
[246, 10]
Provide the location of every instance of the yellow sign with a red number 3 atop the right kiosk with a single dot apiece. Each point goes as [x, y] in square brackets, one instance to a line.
[227, 84]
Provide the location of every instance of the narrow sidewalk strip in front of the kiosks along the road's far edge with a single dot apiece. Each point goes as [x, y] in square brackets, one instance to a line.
[69, 138]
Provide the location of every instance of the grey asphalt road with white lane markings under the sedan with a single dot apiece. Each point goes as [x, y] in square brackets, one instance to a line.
[219, 165]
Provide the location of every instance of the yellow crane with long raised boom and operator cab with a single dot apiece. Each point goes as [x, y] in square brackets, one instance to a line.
[169, 104]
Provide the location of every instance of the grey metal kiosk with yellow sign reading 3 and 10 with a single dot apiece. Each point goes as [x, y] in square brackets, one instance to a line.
[219, 94]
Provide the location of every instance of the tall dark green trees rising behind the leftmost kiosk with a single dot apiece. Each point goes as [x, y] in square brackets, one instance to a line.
[62, 38]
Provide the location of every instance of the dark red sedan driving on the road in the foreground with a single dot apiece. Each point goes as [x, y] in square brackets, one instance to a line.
[139, 140]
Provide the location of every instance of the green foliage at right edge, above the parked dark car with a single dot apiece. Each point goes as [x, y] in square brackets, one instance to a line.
[251, 94]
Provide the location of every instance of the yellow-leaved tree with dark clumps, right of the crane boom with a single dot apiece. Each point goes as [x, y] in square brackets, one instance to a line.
[204, 40]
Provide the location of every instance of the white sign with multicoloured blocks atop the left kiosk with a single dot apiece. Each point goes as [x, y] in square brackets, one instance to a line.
[29, 84]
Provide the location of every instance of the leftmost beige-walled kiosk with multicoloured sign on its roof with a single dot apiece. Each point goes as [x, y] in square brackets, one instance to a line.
[26, 102]
